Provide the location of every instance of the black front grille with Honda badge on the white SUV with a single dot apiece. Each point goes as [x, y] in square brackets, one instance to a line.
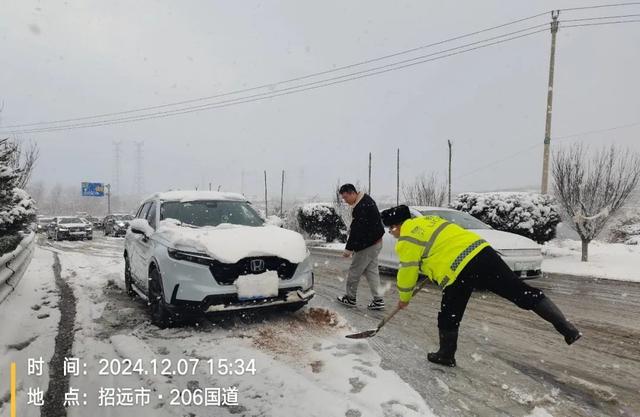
[226, 274]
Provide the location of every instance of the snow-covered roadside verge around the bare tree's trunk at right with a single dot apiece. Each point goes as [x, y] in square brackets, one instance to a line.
[606, 260]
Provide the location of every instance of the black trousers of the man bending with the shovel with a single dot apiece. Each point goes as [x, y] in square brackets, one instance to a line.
[485, 271]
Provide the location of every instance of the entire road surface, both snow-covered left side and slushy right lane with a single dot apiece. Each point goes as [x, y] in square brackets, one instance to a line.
[510, 362]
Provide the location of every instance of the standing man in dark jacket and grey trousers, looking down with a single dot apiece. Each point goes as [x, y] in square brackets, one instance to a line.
[364, 244]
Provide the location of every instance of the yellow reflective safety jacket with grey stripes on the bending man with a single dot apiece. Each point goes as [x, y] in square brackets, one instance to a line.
[436, 248]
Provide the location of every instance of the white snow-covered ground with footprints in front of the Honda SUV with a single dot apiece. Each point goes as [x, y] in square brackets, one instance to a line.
[303, 363]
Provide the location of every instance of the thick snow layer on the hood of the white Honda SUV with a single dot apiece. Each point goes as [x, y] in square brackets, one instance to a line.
[230, 243]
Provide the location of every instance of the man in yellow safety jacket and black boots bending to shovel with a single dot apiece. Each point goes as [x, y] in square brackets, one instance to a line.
[459, 261]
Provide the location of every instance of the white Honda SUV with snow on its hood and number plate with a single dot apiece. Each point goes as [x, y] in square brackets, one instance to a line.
[202, 251]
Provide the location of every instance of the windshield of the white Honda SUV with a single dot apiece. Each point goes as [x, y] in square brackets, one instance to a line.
[211, 213]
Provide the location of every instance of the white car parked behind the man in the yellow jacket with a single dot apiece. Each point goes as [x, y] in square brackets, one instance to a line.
[523, 255]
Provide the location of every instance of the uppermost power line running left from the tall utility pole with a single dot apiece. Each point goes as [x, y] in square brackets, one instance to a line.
[513, 22]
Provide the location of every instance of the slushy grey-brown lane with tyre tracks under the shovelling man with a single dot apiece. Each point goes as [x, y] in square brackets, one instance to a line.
[509, 360]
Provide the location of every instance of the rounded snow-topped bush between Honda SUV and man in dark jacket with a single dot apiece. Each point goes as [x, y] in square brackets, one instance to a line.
[321, 221]
